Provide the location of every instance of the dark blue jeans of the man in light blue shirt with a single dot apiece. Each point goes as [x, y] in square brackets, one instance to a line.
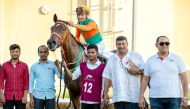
[41, 104]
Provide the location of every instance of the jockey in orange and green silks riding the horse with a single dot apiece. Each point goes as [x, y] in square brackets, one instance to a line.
[88, 28]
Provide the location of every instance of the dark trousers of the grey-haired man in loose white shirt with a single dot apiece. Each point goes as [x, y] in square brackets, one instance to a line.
[126, 105]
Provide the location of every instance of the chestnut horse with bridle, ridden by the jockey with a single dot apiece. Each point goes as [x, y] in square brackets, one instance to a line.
[72, 52]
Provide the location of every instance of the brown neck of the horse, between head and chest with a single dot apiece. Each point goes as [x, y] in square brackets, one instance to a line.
[72, 48]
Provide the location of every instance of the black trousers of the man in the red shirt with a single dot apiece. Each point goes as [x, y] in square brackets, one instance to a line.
[9, 104]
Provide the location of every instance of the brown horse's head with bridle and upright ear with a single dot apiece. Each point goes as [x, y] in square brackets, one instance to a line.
[58, 34]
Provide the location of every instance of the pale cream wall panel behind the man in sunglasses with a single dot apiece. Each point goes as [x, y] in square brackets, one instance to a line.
[152, 19]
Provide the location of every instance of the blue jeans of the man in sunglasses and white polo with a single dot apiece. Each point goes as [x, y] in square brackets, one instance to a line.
[165, 103]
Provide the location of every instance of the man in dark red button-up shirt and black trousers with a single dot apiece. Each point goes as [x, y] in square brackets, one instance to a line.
[14, 80]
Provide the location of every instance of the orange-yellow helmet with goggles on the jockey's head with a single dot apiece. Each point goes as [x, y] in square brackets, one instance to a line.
[82, 9]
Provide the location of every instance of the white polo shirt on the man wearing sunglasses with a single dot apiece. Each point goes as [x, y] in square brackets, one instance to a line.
[164, 76]
